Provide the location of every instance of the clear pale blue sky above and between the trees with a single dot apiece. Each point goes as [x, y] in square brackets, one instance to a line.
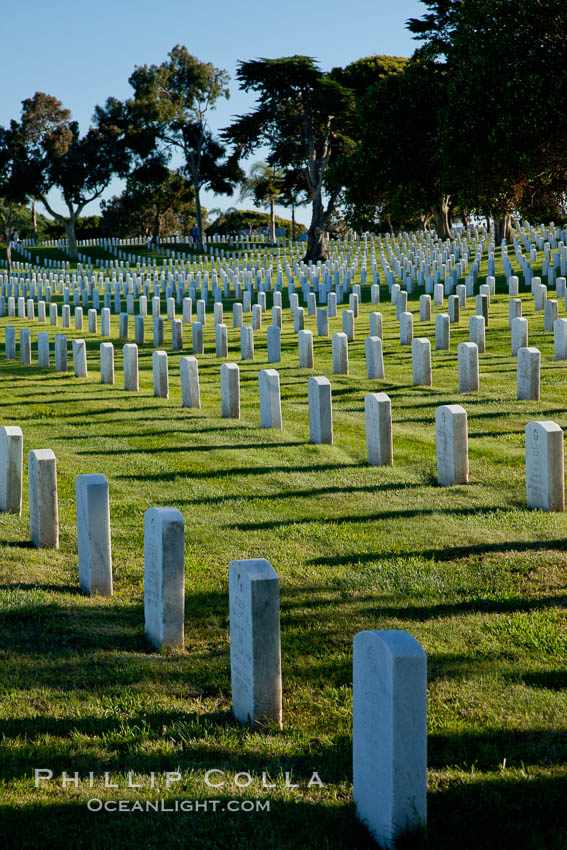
[83, 52]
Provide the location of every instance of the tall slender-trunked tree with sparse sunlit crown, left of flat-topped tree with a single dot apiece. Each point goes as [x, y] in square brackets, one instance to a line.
[171, 101]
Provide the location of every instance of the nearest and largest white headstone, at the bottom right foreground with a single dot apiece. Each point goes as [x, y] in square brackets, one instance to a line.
[389, 733]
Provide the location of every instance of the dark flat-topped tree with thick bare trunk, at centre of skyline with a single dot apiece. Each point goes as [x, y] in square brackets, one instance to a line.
[303, 115]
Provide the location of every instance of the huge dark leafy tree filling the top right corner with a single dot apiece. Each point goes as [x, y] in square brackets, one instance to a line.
[504, 127]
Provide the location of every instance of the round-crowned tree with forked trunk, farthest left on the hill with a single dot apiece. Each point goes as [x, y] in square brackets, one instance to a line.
[54, 155]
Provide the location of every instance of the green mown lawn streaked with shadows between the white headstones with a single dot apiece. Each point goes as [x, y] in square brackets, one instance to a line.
[477, 578]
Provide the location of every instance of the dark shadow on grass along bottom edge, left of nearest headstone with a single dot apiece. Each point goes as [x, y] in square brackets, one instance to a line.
[288, 825]
